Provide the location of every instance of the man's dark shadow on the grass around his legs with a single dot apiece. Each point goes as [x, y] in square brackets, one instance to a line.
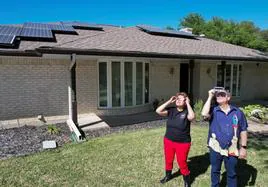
[246, 175]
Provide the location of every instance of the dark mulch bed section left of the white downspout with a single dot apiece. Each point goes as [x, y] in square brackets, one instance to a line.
[28, 139]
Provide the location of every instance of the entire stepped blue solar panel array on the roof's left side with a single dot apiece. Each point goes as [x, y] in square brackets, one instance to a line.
[40, 31]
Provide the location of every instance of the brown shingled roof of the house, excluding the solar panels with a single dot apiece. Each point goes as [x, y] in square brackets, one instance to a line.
[132, 41]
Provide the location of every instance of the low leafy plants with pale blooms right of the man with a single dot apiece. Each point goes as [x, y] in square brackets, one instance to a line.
[256, 112]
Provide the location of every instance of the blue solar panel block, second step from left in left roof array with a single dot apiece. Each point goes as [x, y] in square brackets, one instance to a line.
[36, 33]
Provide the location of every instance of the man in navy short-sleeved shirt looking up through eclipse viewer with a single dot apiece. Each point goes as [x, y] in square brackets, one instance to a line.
[227, 138]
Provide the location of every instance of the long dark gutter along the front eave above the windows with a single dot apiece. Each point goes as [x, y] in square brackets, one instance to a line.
[99, 52]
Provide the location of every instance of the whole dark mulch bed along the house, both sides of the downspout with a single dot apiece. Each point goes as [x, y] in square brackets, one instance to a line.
[26, 140]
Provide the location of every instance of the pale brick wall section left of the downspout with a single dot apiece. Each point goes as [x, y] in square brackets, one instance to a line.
[33, 86]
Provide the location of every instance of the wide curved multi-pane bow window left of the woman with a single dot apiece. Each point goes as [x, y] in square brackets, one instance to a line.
[123, 83]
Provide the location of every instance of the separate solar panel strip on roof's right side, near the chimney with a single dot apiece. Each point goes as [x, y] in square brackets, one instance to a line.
[155, 30]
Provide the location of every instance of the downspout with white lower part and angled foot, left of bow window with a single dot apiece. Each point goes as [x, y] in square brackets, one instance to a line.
[72, 121]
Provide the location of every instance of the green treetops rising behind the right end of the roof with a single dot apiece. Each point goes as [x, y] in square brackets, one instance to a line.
[243, 33]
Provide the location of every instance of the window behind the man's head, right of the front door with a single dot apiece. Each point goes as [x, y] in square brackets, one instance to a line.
[232, 78]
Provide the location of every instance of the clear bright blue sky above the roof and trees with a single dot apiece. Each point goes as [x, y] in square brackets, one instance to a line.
[159, 13]
